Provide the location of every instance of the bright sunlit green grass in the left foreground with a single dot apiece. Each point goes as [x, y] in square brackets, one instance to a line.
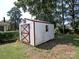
[12, 51]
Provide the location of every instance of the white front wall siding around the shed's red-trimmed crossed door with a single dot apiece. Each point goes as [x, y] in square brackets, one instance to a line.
[31, 31]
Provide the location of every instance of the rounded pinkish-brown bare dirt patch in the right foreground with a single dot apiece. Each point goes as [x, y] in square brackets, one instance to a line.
[62, 52]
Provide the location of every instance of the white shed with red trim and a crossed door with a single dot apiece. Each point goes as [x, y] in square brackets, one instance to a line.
[35, 32]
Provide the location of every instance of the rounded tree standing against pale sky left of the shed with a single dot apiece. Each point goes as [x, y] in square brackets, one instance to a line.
[15, 15]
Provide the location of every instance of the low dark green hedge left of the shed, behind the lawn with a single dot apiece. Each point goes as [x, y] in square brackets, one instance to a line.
[8, 36]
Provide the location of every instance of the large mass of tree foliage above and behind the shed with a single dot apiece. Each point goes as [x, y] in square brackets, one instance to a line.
[54, 11]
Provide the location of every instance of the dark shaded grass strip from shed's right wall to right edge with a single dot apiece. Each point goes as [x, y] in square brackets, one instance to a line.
[64, 39]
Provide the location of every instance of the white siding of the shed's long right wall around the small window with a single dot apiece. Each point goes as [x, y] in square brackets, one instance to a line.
[40, 32]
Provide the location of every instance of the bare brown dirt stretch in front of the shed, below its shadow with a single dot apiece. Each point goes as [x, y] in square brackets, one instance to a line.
[60, 51]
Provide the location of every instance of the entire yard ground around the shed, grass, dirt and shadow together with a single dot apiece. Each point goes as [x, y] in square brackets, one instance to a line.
[63, 47]
